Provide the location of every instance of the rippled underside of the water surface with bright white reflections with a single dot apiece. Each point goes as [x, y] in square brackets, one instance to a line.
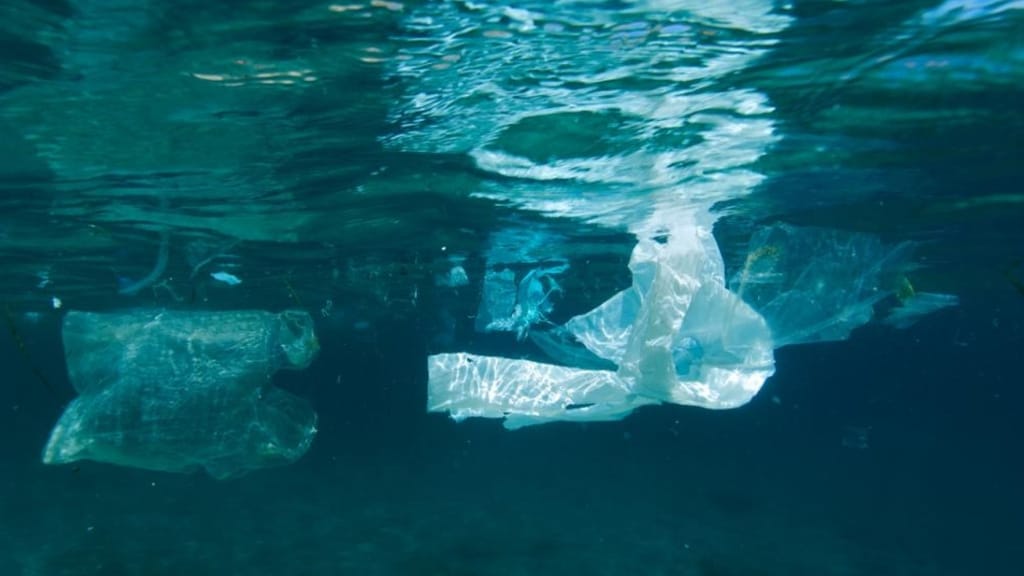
[321, 133]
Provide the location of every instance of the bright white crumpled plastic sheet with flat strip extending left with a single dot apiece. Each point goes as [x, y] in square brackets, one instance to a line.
[665, 336]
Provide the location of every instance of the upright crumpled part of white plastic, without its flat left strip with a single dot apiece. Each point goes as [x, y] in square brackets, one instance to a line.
[691, 341]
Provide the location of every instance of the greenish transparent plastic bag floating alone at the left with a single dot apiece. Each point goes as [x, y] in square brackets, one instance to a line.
[185, 391]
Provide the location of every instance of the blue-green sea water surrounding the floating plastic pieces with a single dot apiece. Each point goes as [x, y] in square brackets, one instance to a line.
[343, 158]
